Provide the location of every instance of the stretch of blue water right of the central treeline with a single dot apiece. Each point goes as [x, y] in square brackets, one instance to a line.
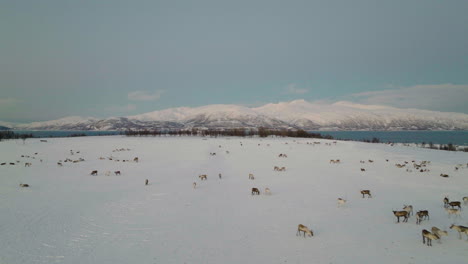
[436, 137]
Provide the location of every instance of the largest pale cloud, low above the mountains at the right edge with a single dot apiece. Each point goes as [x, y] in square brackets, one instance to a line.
[437, 97]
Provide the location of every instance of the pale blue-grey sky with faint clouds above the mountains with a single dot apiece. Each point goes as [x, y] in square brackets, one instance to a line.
[115, 58]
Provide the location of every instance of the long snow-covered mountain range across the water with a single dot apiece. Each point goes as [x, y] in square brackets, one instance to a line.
[298, 114]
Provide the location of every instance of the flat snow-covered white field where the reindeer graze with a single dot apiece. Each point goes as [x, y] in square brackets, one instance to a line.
[69, 216]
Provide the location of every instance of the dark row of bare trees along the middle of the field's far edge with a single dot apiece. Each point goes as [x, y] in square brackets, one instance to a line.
[237, 132]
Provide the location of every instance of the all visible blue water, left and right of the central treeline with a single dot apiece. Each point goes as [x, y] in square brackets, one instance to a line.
[436, 137]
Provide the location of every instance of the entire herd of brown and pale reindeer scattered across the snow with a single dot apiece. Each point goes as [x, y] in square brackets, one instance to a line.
[452, 207]
